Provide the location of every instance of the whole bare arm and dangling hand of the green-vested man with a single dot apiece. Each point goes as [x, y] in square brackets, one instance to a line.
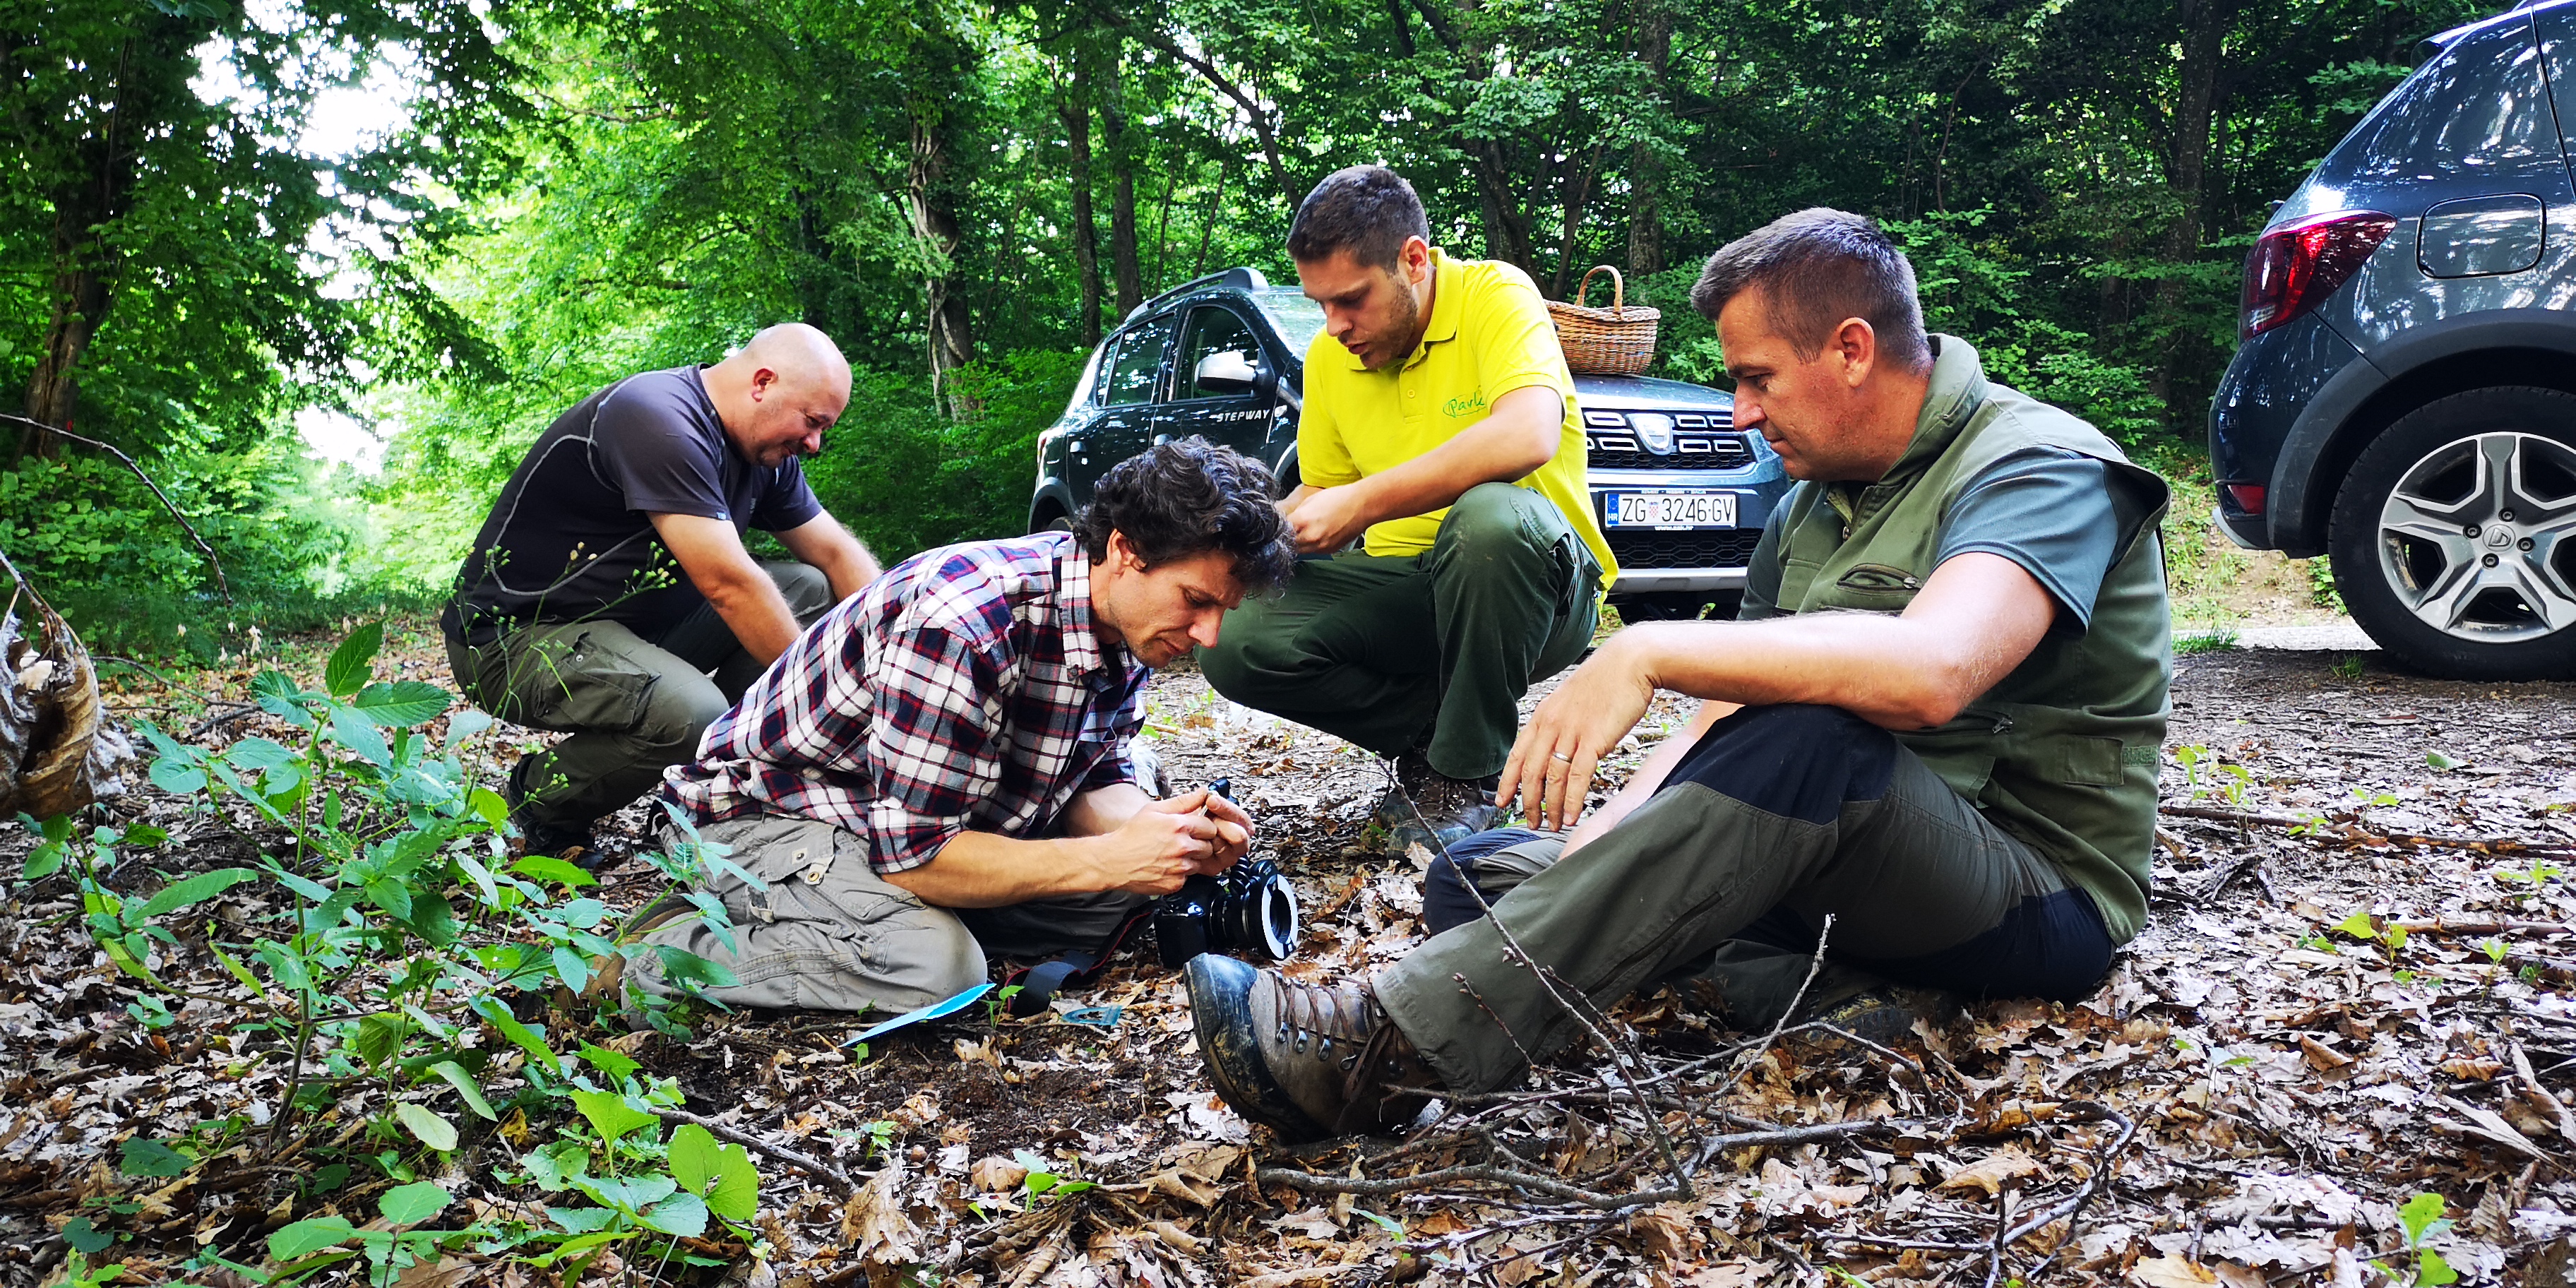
[1975, 622]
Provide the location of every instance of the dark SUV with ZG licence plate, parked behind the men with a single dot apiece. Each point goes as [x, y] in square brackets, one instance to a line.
[1678, 491]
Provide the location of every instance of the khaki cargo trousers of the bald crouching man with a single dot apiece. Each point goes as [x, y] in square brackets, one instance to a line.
[635, 705]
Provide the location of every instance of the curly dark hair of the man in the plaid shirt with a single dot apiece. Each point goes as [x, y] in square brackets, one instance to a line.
[1186, 498]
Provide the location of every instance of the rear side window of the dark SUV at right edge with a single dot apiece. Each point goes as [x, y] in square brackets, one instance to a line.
[2477, 109]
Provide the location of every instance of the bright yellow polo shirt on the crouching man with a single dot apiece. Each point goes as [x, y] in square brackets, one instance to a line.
[1488, 336]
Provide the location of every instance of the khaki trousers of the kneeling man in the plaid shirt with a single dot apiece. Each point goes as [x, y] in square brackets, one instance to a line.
[828, 934]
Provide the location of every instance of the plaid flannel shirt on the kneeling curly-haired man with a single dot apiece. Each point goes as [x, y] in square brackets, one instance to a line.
[962, 692]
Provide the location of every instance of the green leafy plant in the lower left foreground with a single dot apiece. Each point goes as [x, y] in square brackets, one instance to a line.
[406, 934]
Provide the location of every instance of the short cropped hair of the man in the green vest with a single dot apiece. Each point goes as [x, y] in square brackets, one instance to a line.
[1815, 269]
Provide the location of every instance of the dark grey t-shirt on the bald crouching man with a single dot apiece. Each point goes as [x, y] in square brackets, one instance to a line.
[571, 537]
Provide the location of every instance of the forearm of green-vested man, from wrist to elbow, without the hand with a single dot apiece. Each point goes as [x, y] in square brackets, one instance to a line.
[1889, 671]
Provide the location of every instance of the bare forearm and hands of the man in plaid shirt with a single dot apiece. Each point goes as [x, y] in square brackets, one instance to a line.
[1142, 846]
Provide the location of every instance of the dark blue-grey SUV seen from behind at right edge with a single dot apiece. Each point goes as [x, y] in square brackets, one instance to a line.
[2405, 398]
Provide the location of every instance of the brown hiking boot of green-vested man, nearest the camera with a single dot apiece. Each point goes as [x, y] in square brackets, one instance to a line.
[1305, 1060]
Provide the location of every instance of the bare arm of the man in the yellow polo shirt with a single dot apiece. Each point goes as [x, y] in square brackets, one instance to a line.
[1508, 444]
